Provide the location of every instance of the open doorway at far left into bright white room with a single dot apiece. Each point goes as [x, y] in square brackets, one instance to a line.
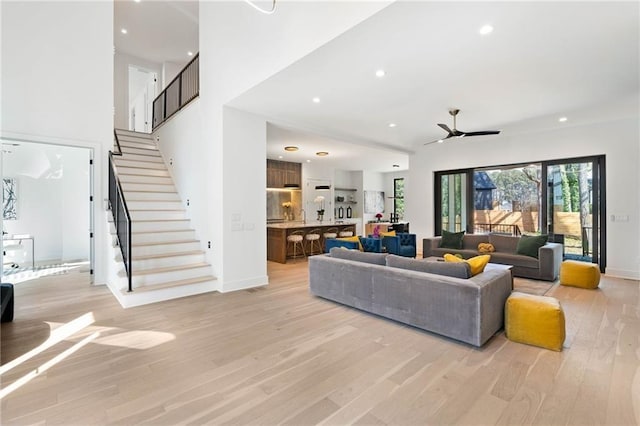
[47, 224]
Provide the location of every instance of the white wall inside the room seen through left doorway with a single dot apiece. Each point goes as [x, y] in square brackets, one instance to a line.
[53, 199]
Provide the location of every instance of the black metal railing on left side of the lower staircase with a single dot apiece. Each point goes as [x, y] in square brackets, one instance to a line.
[120, 212]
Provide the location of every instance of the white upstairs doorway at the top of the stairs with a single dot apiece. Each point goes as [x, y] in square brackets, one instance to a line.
[142, 92]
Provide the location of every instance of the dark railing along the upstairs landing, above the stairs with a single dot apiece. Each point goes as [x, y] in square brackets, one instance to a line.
[183, 89]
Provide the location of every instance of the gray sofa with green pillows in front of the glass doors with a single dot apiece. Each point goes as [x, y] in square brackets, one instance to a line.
[545, 267]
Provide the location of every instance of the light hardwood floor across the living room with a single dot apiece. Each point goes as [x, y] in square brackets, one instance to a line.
[277, 355]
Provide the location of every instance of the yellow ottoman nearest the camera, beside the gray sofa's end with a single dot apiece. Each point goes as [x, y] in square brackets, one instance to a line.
[534, 320]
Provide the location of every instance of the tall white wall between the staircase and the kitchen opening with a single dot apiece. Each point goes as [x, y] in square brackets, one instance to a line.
[252, 47]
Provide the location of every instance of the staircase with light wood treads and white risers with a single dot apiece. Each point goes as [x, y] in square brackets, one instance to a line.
[167, 259]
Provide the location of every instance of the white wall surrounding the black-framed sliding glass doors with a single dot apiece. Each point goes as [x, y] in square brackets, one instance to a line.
[617, 139]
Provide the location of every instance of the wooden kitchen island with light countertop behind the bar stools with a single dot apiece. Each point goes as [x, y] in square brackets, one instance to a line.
[277, 235]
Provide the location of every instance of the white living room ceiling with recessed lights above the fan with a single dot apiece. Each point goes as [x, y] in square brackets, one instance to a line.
[542, 61]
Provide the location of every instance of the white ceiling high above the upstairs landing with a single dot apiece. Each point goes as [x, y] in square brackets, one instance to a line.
[157, 30]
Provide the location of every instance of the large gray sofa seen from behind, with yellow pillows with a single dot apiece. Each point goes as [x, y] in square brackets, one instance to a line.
[433, 296]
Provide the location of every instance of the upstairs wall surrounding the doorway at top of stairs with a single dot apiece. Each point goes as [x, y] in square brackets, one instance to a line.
[121, 63]
